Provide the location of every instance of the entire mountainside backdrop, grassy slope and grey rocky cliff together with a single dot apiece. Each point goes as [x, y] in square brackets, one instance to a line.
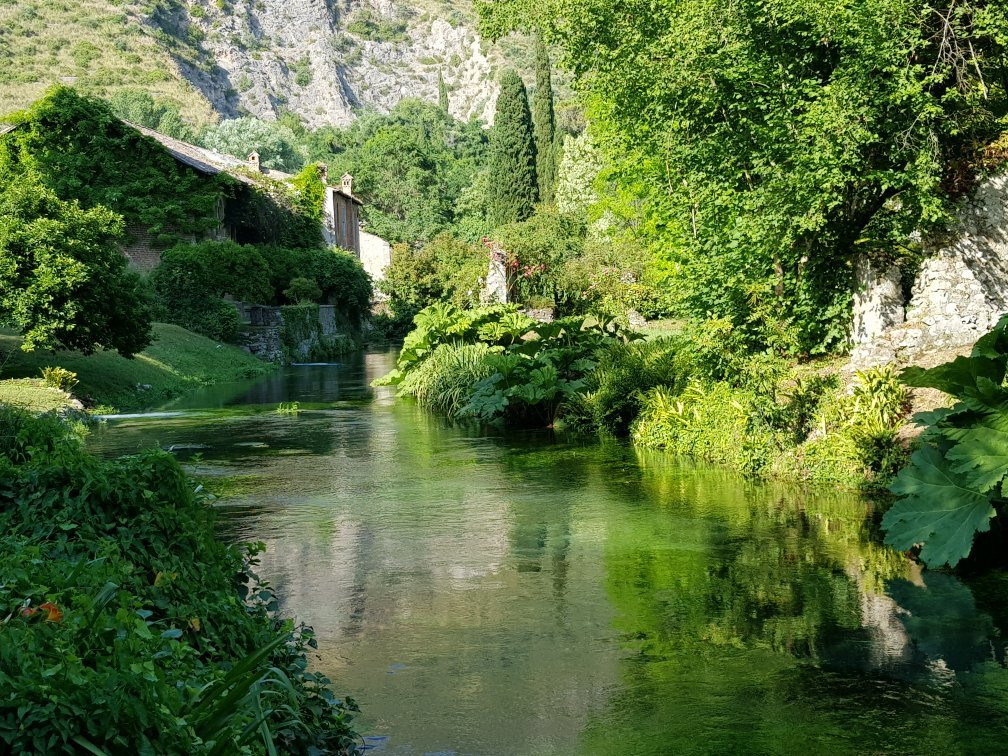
[321, 59]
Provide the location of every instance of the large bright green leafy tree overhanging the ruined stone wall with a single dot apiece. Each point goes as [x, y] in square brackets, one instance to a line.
[762, 146]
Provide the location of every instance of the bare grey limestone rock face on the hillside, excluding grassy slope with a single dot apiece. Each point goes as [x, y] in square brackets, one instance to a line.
[324, 59]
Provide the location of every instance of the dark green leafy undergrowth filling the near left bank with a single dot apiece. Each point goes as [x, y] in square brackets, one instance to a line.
[129, 624]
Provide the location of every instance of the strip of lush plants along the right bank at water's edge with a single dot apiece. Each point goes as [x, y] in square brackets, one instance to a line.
[691, 395]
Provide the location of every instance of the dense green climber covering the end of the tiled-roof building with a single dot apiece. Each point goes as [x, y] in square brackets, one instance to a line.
[78, 148]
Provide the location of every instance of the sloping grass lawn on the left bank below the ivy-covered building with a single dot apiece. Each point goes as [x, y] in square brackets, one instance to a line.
[178, 361]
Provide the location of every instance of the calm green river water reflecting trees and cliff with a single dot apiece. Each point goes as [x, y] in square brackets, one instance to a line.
[488, 593]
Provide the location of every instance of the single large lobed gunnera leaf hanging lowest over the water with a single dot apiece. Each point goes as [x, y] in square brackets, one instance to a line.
[938, 511]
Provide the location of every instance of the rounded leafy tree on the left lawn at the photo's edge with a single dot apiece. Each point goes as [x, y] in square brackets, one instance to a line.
[64, 281]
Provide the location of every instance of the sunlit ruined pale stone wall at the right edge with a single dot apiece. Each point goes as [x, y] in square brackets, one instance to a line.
[959, 295]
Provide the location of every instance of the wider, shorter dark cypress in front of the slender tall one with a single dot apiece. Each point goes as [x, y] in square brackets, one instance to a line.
[512, 166]
